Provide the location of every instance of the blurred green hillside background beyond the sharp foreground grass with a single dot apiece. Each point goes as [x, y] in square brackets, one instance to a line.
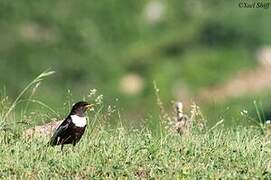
[120, 47]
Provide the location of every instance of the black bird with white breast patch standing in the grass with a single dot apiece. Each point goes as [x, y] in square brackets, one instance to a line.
[73, 127]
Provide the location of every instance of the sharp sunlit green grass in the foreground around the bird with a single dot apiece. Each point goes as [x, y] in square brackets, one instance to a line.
[126, 153]
